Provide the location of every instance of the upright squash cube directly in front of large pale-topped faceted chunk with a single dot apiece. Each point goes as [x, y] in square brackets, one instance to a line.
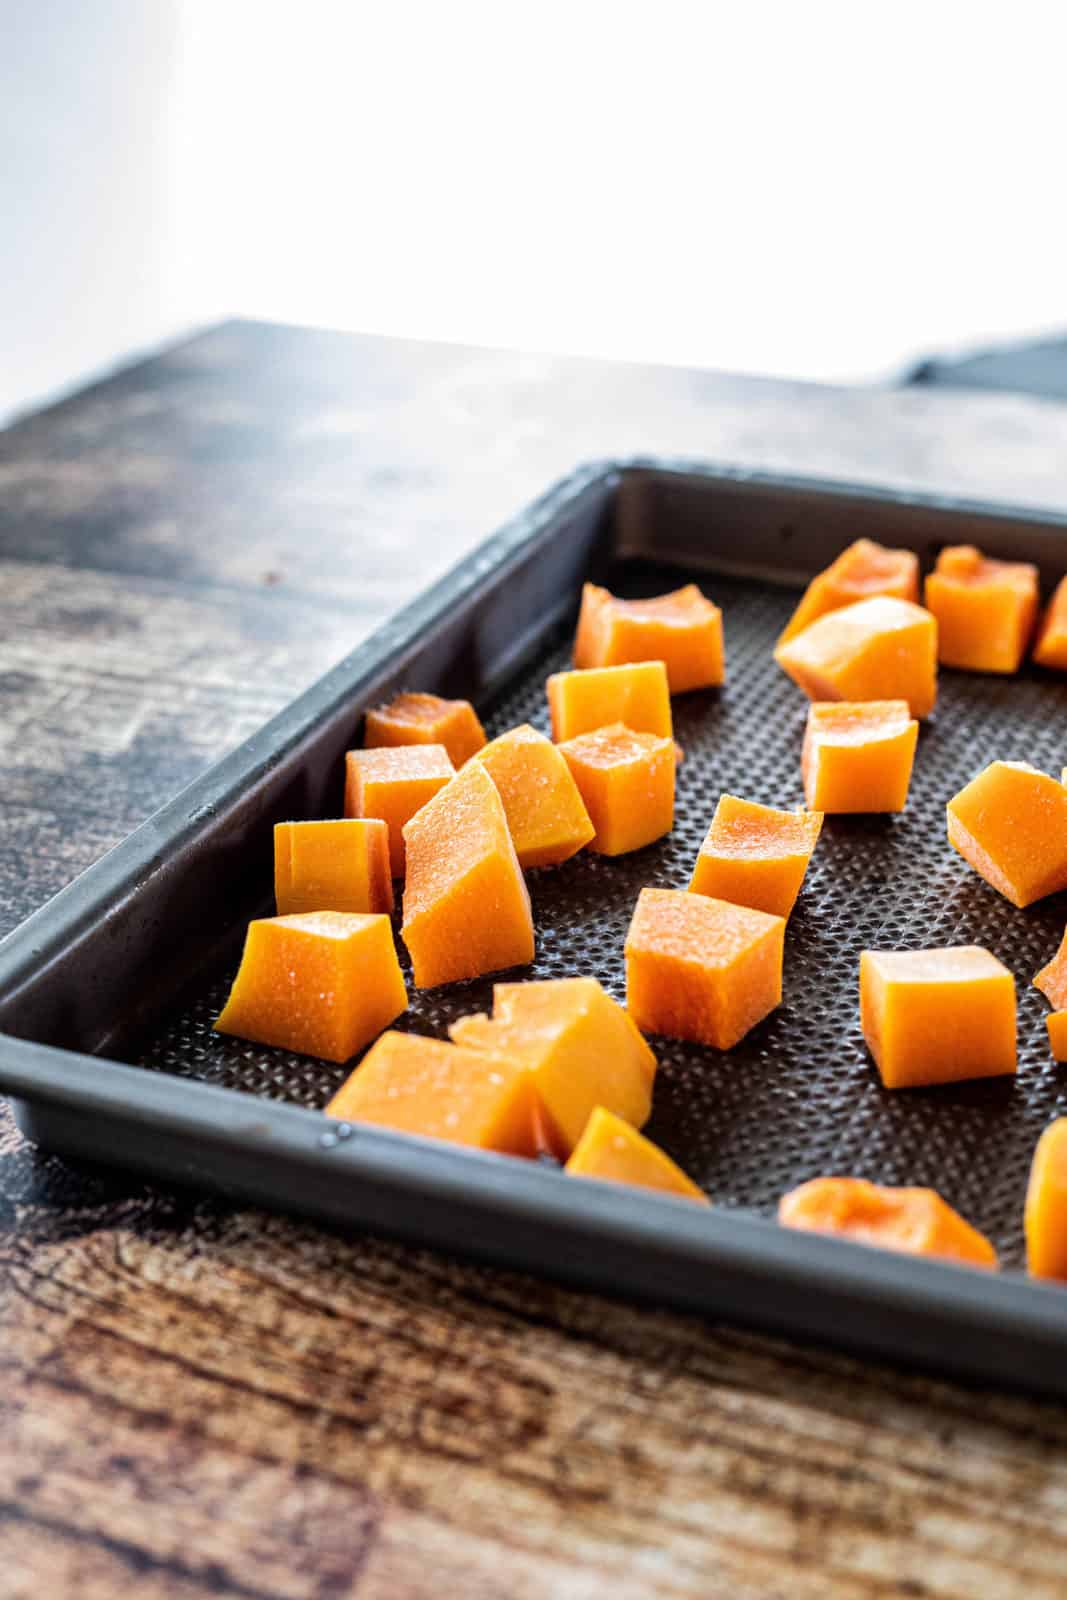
[858, 756]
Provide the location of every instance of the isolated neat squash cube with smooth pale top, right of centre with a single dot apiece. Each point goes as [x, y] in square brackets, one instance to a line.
[938, 1017]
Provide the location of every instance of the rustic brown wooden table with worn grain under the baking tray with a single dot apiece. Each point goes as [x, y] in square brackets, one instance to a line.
[210, 1402]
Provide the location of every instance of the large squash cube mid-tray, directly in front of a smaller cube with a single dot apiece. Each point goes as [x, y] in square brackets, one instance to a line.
[701, 969]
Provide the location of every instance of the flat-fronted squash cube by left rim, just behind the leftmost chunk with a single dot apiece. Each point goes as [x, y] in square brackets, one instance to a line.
[332, 866]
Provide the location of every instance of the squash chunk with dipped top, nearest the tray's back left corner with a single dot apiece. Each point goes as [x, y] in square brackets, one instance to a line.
[682, 630]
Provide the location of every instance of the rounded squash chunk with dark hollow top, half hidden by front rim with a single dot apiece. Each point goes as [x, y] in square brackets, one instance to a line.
[914, 1222]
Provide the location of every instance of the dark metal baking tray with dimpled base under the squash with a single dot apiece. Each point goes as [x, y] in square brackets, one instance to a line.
[108, 993]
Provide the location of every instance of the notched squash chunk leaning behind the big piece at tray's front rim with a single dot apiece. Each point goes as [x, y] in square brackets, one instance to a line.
[580, 1046]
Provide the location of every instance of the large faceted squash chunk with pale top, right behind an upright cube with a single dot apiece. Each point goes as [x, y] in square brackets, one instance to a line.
[881, 649]
